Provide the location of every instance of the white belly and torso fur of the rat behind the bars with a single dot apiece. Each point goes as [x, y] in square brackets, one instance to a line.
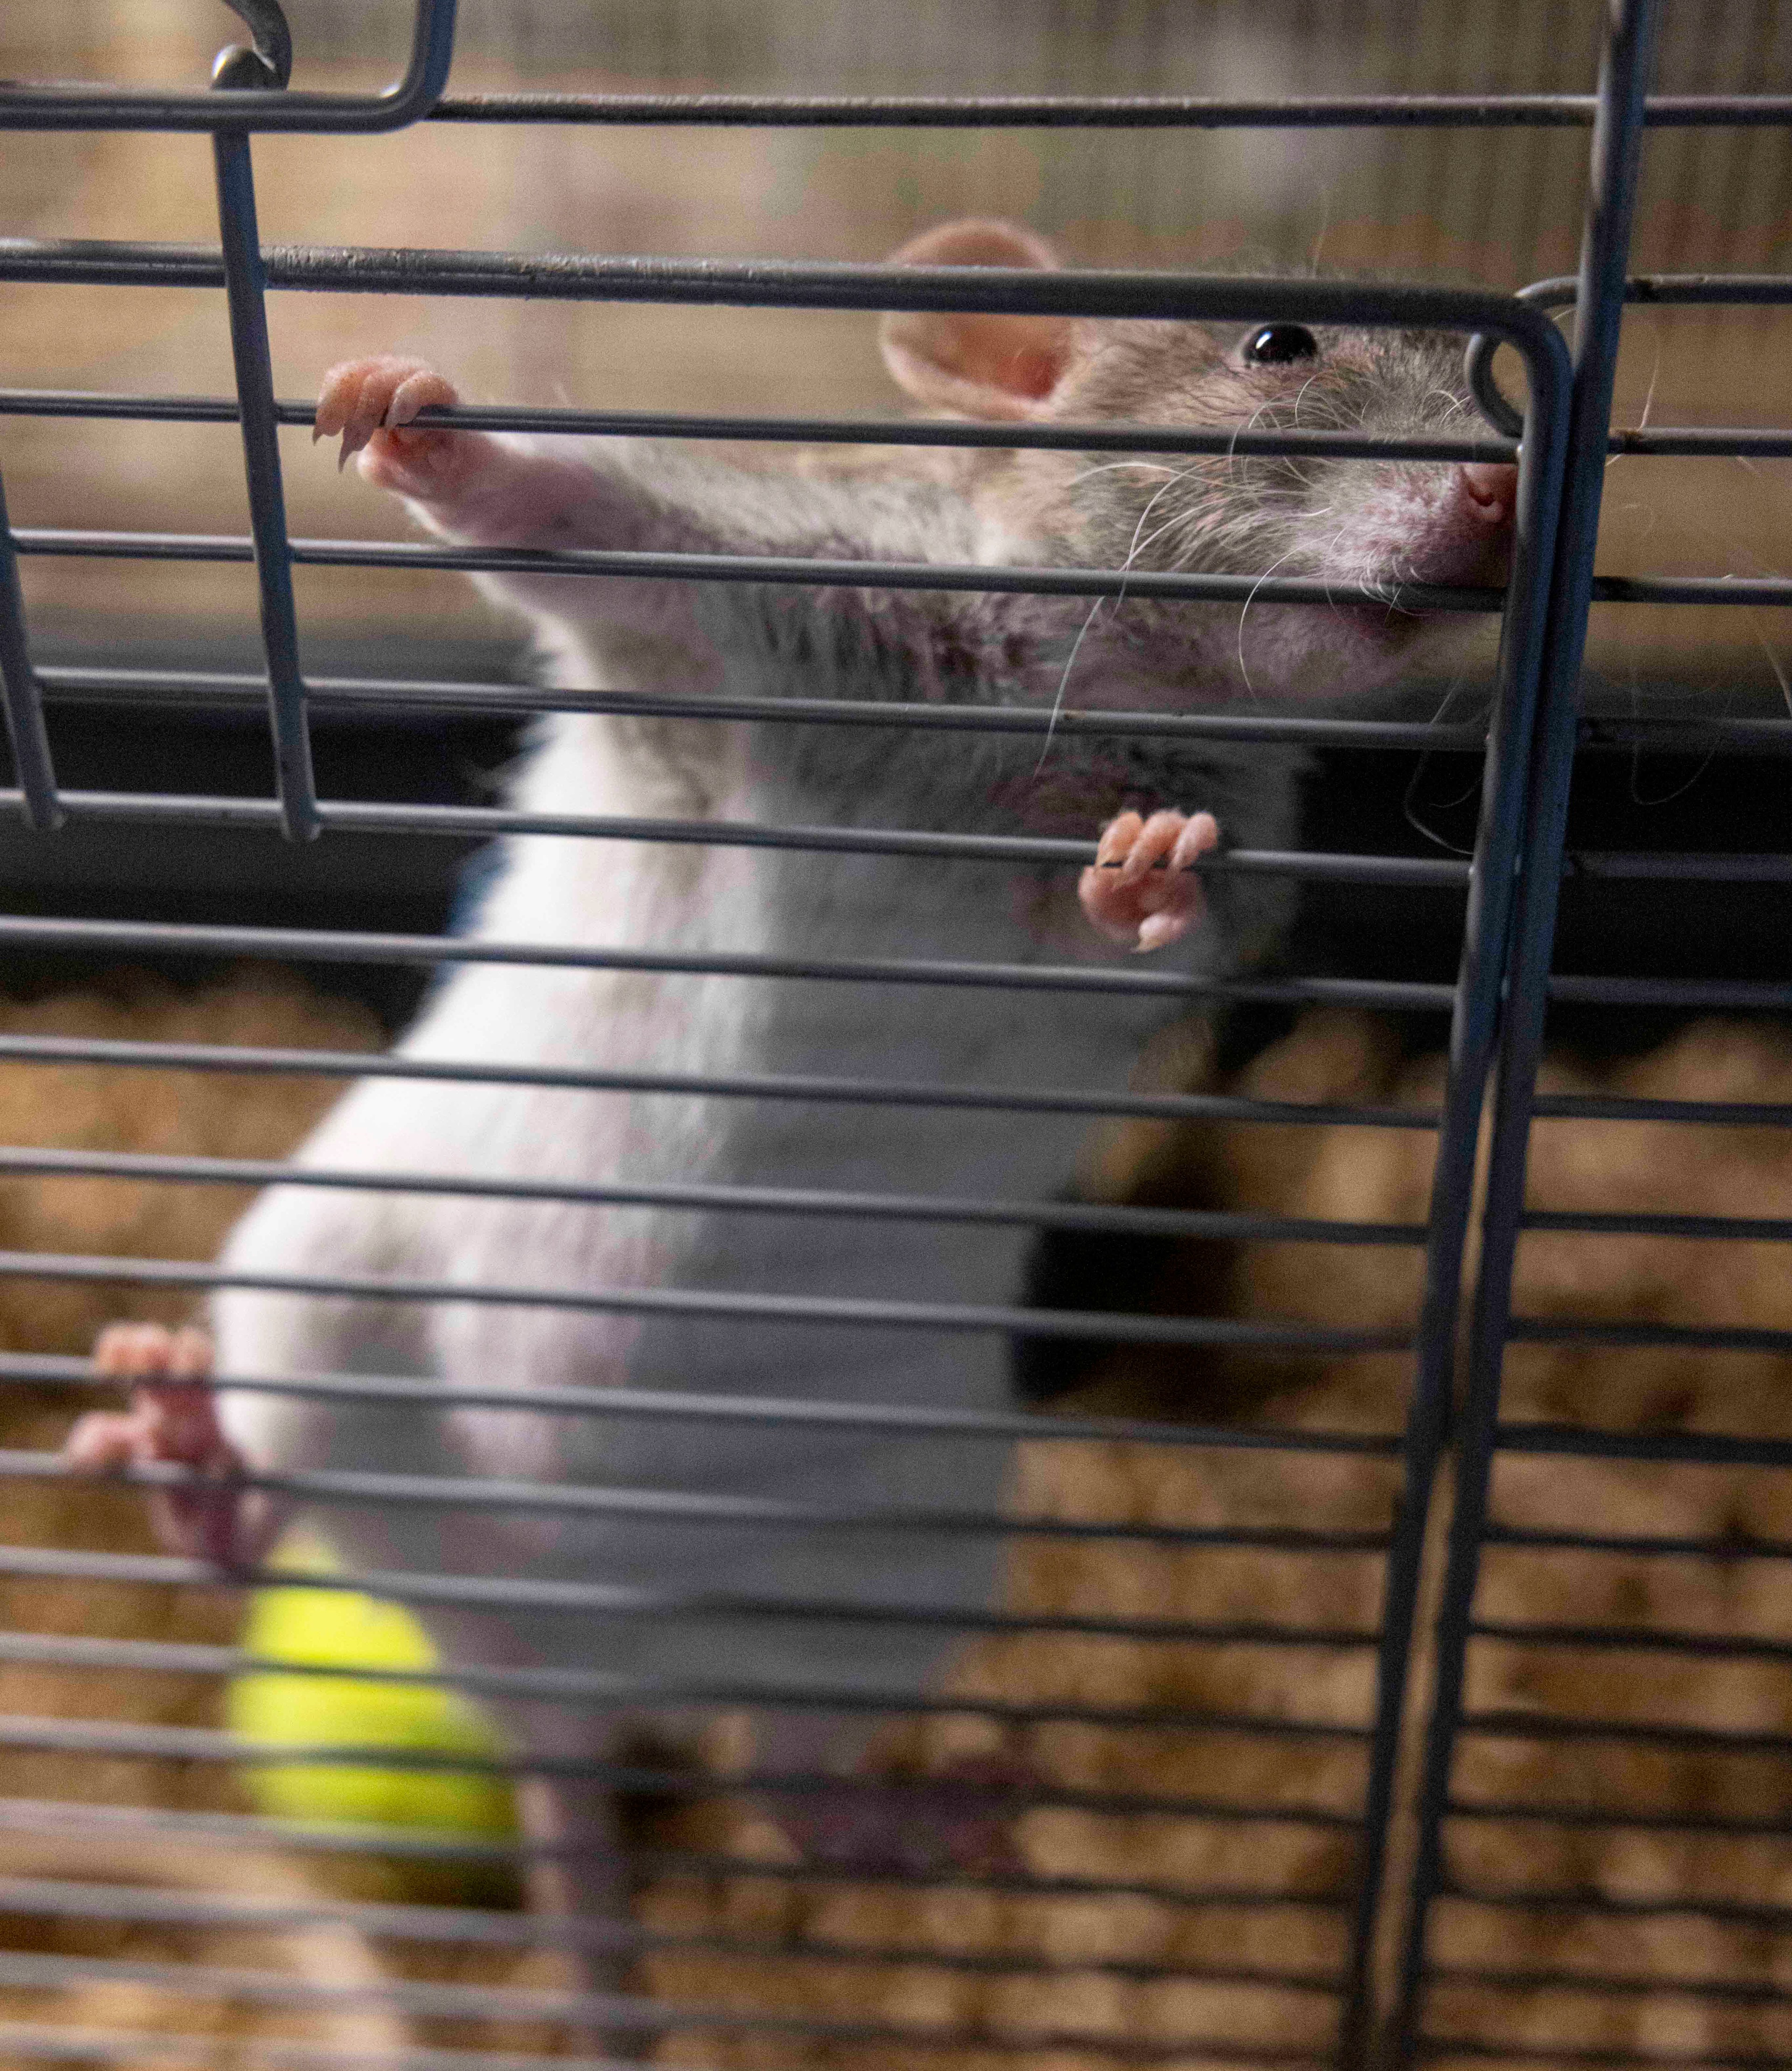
[569, 892]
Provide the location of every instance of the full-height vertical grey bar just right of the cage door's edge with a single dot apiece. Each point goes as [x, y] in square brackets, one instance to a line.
[1605, 258]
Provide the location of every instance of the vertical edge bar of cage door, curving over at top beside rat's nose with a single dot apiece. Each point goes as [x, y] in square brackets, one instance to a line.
[1474, 1032]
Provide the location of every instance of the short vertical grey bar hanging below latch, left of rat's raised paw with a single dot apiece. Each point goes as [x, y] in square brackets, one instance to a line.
[245, 289]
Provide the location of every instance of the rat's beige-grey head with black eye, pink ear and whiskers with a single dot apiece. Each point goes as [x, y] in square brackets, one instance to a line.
[1381, 525]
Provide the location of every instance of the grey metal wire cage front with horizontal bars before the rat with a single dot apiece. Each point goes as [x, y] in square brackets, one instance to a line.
[1377, 1997]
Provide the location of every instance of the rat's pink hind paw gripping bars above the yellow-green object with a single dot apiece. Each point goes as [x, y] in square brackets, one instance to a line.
[173, 1420]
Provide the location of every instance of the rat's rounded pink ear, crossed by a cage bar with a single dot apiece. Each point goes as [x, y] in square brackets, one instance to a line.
[979, 366]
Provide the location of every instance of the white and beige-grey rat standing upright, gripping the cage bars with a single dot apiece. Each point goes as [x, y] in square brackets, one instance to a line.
[1157, 807]
